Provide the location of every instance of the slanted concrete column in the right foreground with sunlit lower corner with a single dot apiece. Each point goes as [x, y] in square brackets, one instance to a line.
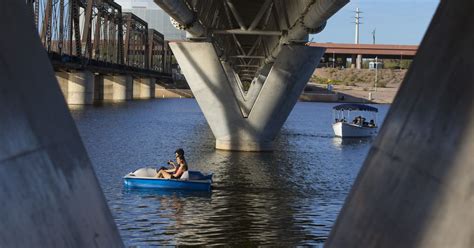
[416, 187]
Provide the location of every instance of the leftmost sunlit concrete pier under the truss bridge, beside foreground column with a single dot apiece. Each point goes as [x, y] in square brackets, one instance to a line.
[77, 87]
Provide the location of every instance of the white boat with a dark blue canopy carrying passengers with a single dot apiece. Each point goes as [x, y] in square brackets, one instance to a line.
[357, 127]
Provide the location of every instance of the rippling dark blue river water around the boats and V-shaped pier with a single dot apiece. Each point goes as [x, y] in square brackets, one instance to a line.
[289, 197]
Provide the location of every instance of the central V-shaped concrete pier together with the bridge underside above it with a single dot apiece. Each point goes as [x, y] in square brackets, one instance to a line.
[250, 58]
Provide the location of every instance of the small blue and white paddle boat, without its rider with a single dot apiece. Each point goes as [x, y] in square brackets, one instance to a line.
[146, 178]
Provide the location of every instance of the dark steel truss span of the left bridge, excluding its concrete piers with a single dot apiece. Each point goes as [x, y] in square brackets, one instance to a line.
[96, 35]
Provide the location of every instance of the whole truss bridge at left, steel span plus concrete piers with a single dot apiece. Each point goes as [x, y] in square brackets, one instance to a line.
[100, 53]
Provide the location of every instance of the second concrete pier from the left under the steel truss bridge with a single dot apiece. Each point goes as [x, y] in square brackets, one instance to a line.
[118, 88]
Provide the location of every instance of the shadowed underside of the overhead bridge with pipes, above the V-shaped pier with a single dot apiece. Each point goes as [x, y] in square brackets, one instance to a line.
[248, 34]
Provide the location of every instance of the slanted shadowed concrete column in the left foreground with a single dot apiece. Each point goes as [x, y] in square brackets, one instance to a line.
[50, 194]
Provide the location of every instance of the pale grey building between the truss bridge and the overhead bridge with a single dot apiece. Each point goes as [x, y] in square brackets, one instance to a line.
[156, 18]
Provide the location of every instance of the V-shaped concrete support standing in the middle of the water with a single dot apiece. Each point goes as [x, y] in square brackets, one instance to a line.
[238, 121]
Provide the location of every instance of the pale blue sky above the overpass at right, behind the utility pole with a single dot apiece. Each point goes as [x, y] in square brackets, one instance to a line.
[401, 22]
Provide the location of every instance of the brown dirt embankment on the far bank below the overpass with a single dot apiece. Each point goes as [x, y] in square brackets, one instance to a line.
[352, 85]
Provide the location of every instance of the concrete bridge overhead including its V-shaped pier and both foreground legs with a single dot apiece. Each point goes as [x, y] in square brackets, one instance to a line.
[415, 188]
